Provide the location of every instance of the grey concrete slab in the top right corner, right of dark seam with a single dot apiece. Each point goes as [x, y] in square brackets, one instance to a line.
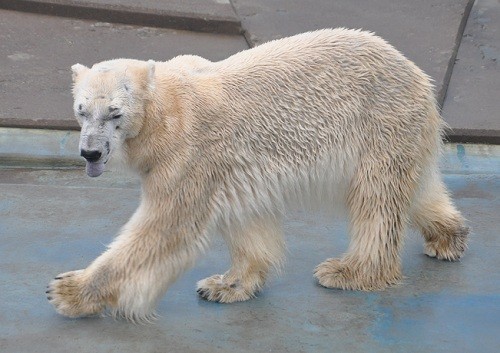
[472, 107]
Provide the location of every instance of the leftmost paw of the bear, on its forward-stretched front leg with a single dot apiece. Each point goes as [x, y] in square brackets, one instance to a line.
[68, 296]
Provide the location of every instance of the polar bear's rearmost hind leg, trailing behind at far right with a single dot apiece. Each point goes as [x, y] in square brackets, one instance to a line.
[442, 226]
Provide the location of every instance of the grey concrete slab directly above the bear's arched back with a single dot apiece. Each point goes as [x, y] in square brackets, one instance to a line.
[427, 32]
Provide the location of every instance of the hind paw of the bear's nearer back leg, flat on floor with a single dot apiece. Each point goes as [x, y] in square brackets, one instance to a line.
[334, 273]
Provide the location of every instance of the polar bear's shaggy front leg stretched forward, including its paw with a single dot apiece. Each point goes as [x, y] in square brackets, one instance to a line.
[129, 278]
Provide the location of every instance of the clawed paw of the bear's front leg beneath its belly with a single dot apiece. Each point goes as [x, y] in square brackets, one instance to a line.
[218, 288]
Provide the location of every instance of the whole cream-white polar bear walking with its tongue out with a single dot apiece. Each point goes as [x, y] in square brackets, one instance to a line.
[333, 116]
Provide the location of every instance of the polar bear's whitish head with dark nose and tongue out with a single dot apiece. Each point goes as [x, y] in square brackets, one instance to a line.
[109, 104]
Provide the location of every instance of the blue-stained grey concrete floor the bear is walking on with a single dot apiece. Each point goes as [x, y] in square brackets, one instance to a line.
[54, 220]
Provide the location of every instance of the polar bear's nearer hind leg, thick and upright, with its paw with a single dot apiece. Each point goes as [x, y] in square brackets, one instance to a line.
[378, 202]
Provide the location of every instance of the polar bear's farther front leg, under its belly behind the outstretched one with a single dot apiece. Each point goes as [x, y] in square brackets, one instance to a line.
[254, 250]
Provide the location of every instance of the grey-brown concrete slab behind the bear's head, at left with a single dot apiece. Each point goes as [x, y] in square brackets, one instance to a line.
[37, 52]
